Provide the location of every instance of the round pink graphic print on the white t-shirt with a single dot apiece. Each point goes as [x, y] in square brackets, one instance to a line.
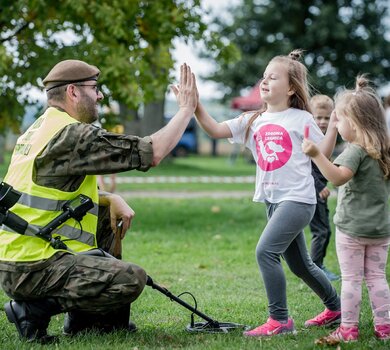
[273, 147]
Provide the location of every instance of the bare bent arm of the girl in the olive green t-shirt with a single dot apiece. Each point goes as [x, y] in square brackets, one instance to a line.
[337, 175]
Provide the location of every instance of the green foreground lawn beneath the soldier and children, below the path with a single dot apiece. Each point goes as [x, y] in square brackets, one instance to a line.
[206, 247]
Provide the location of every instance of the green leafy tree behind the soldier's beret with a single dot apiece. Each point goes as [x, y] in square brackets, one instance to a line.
[129, 40]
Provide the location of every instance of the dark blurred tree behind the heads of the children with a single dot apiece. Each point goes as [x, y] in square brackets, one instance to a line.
[341, 38]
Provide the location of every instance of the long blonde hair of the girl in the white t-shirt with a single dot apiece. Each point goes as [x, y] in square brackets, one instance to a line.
[297, 76]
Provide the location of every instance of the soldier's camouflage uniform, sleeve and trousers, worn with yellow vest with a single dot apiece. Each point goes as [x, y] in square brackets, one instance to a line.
[83, 282]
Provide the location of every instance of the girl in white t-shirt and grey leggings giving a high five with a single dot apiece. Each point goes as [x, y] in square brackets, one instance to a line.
[284, 182]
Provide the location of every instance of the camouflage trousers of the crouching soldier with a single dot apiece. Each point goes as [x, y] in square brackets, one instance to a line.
[89, 283]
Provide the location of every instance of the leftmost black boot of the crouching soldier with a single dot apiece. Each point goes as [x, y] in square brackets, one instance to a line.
[32, 318]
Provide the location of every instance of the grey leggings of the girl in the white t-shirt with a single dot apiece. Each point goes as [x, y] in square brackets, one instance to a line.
[283, 236]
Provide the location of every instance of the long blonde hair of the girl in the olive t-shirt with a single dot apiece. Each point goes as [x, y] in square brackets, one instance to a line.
[363, 108]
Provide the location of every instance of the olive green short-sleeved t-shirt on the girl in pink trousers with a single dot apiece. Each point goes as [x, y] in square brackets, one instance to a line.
[362, 203]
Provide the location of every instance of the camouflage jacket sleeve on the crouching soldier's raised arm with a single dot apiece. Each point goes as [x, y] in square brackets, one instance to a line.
[84, 149]
